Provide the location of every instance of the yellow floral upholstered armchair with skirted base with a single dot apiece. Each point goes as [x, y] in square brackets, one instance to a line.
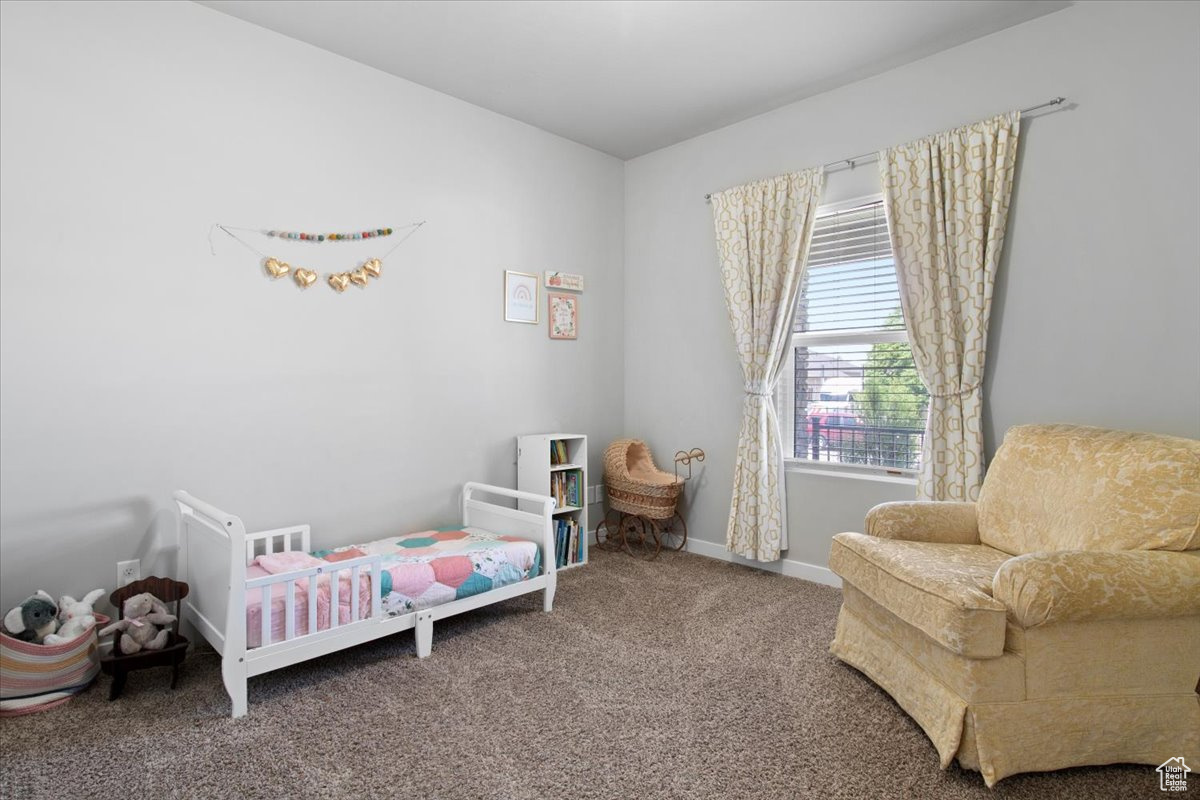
[1057, 622]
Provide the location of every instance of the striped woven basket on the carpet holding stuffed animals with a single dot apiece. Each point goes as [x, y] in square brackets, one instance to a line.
[39, 677]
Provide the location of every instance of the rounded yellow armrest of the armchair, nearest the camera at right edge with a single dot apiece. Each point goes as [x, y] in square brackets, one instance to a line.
[1083, 586]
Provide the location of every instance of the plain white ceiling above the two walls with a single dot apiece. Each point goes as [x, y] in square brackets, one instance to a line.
[628, 77]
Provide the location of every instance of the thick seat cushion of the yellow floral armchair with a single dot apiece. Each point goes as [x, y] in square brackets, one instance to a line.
[944, 591]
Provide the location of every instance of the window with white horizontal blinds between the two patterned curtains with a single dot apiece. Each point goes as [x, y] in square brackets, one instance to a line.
[851, 394]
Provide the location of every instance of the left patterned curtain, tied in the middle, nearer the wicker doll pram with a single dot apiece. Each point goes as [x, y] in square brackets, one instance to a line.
[764, 232]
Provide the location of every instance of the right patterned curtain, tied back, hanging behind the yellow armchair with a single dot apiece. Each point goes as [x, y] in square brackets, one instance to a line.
[947, 204]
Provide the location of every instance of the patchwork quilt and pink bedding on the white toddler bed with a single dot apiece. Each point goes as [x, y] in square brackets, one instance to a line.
[421, 570]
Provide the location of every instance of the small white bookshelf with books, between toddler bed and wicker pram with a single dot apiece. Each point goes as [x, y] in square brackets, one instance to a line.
[539, 473]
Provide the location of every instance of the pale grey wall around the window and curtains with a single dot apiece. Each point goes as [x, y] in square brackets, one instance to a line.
[1095, 318]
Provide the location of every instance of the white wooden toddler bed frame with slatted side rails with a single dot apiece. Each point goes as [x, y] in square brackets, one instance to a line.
[217, 554]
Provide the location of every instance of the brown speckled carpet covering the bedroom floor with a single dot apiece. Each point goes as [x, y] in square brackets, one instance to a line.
[682, 678]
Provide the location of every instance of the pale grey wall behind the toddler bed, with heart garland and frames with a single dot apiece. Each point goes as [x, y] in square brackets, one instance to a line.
[136, 363]
